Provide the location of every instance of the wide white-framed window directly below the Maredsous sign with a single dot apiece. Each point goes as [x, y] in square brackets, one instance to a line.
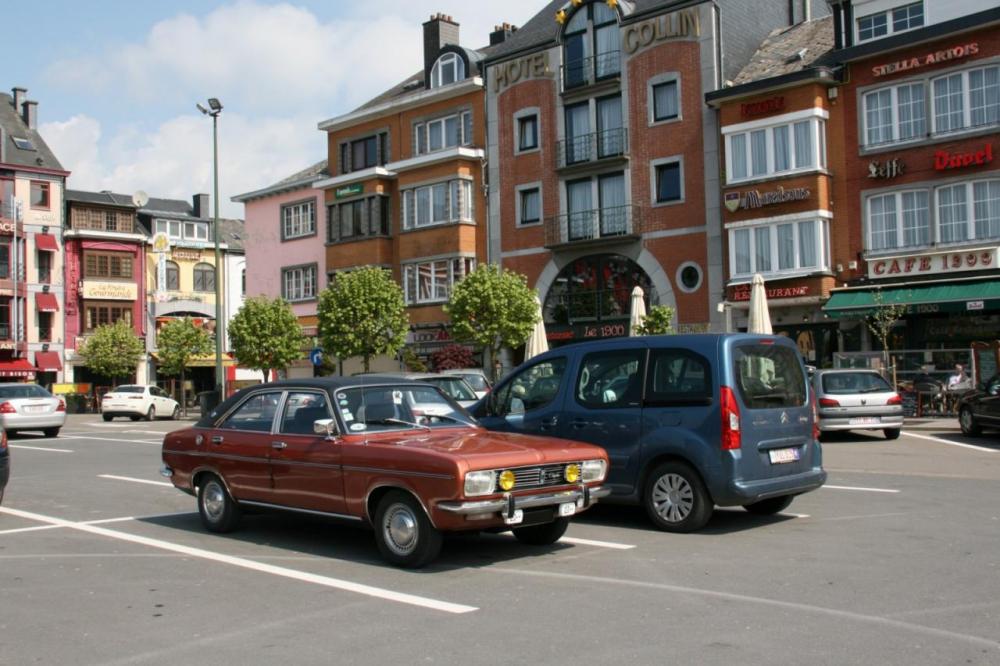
[787, 247]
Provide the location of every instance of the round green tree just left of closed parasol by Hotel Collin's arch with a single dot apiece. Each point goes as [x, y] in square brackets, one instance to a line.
[492, 307]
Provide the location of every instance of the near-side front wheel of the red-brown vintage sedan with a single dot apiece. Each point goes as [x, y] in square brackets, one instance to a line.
[404, 533]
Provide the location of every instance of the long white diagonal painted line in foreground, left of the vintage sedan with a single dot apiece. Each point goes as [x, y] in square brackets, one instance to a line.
[294, 574]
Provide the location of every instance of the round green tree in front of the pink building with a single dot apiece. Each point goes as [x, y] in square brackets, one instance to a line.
[265, 335]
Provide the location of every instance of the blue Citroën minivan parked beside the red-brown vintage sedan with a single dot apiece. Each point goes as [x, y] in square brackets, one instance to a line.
[689, 422]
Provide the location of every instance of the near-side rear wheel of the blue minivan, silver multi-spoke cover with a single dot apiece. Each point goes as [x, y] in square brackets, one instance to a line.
[675, 498]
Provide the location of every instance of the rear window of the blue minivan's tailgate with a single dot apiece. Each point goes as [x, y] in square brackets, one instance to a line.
[769, 376]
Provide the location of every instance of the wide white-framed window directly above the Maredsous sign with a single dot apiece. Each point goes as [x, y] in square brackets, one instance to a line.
[765, 151]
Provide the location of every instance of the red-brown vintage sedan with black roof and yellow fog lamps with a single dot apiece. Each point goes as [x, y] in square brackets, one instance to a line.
[398, 456]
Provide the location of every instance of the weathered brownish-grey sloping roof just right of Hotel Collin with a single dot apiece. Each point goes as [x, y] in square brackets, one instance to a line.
[788, 50]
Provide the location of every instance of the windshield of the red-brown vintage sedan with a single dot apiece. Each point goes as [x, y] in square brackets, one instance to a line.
[398, 407]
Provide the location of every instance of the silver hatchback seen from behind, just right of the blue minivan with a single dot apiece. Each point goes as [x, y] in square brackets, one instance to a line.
[857, 400]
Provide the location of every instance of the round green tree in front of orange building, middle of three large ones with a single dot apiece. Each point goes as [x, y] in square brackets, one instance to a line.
[362, 313]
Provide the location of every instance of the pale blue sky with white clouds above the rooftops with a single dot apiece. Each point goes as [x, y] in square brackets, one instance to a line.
[117, 81]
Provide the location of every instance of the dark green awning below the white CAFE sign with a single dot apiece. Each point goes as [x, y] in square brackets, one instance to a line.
[956, 297]
